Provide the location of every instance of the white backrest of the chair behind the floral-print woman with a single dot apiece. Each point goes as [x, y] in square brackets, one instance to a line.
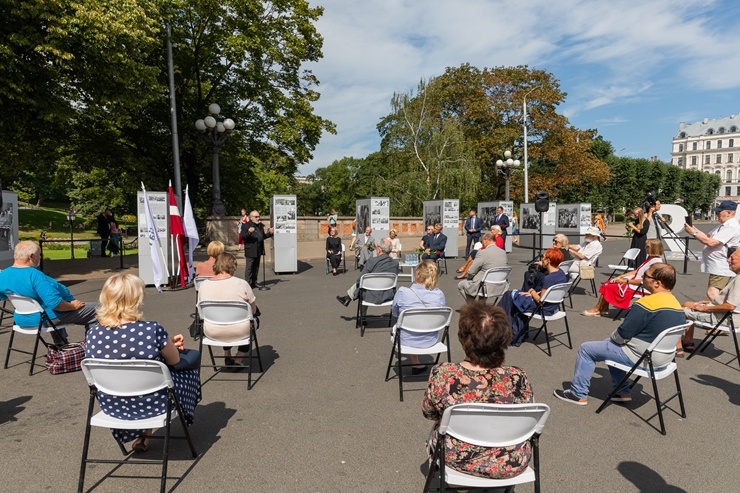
[494, 425]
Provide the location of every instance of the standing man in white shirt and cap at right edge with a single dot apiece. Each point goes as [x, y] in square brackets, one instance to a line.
[716, 242]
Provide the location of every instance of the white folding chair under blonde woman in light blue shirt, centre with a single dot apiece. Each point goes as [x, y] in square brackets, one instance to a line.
[420, 321]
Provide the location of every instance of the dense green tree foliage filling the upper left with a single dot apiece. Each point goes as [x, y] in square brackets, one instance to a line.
[87, 83]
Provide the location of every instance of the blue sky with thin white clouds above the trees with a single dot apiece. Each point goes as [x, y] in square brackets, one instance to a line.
[633, 70]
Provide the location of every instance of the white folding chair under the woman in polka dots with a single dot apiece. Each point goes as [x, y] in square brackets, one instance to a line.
[127, 378]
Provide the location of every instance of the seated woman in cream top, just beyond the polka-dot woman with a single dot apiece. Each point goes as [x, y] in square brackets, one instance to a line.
[223, 286]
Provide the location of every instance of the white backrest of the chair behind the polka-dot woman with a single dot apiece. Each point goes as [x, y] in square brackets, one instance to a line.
[127, 377]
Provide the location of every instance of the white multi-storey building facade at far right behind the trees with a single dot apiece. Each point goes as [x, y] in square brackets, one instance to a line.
[712, 146]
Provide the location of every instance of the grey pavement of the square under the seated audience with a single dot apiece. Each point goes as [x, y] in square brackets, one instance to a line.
[321, 418]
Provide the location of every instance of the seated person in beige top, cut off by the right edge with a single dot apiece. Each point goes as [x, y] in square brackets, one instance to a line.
[712, 311]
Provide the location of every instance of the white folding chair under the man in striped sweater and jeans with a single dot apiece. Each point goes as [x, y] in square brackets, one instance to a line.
[665, 343]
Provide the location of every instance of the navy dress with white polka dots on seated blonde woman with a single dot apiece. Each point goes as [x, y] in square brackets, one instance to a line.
[140, 340]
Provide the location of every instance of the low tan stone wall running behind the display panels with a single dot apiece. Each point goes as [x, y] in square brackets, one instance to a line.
[314, 228]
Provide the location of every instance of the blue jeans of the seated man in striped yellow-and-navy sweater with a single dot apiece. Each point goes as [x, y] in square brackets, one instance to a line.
[588, 355]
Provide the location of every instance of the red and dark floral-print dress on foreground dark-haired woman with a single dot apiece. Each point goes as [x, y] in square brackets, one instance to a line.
[450, 384]
